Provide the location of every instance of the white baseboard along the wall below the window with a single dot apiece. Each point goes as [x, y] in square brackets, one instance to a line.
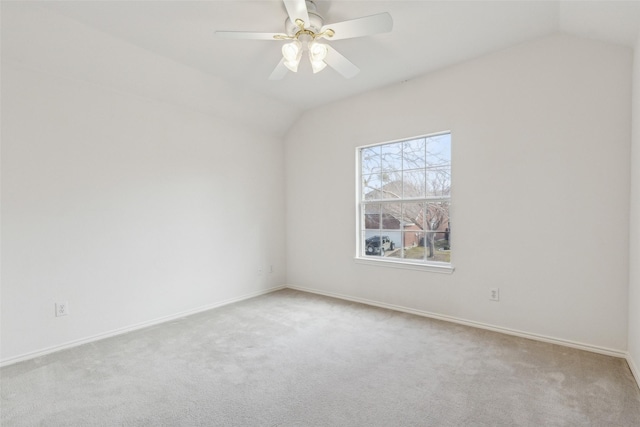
[480, 325]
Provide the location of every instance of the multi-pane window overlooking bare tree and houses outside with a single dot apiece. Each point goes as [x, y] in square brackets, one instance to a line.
[404, 199]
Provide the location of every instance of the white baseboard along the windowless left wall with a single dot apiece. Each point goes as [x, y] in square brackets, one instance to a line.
[126, 329]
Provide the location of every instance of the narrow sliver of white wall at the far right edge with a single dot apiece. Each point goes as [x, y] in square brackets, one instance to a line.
[634, 276]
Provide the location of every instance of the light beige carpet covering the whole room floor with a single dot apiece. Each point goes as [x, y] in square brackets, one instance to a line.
[296, 359]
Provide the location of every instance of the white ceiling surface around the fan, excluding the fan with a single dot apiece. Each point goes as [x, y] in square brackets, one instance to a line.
[427, 35]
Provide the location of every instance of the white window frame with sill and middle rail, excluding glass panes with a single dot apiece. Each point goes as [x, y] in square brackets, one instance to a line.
[403, 263]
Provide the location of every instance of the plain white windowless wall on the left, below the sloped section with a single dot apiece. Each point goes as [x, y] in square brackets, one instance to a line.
[131, 208]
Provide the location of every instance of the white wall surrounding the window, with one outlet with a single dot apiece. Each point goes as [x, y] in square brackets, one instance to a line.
[540, 136]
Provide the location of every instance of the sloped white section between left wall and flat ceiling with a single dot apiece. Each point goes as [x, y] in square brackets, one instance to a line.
[47, 41]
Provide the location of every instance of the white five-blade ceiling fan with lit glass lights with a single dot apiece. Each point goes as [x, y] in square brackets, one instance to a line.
[305, 28]
